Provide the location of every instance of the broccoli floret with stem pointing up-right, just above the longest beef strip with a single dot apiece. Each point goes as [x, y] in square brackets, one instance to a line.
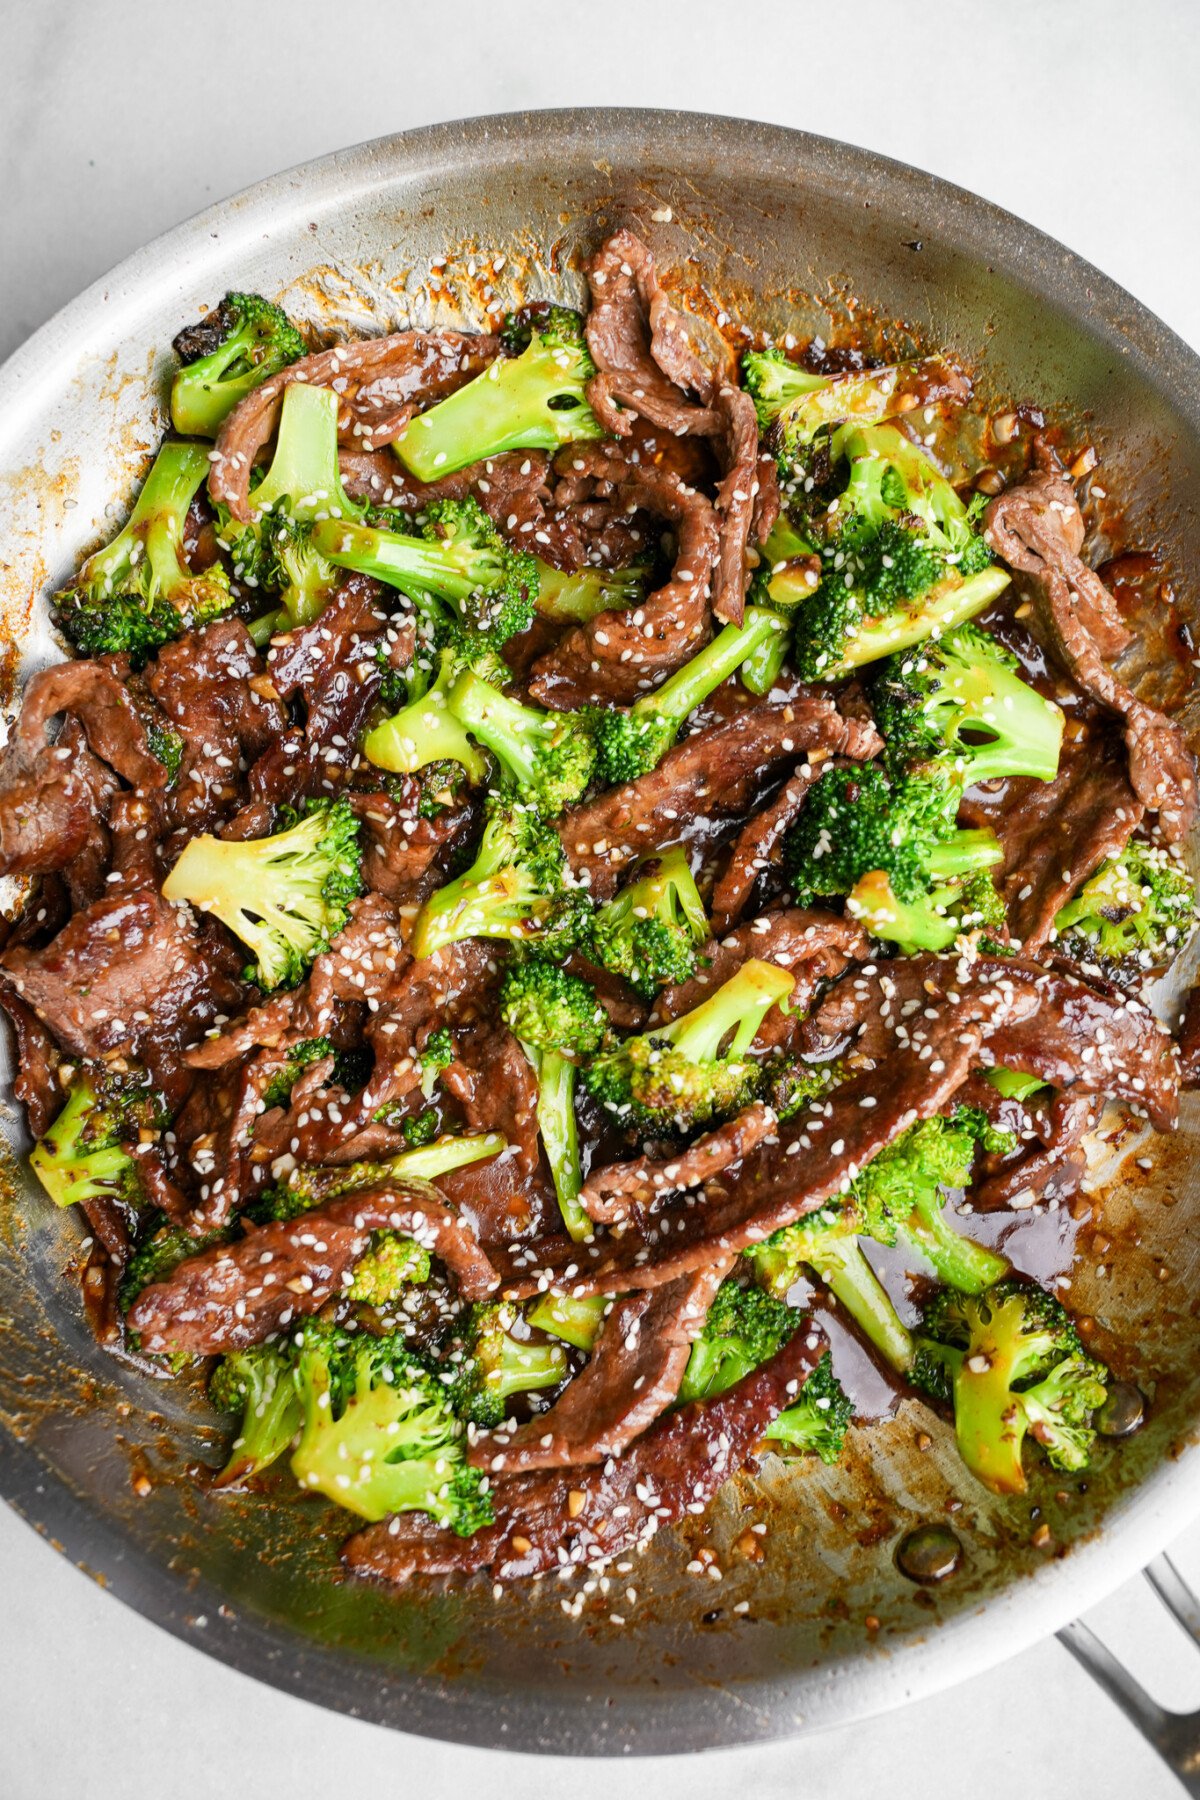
[697, 1068]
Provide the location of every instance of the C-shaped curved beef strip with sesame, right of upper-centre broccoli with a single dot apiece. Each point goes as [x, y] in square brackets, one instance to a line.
[622, 654]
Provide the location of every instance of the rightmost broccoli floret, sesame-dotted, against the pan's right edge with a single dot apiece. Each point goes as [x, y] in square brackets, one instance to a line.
[1133, 917]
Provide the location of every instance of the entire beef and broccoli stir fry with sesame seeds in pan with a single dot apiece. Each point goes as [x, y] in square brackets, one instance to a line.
[555, 847]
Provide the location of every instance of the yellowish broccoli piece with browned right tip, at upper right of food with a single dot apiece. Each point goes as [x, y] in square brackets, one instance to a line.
[801, 404]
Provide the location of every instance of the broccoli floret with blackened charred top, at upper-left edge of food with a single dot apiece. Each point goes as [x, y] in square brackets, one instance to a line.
[256, 341]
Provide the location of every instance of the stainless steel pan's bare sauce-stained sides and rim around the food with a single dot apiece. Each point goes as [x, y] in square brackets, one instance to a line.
[782, 229]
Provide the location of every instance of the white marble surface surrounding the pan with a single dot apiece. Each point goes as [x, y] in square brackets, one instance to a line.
[116, 121]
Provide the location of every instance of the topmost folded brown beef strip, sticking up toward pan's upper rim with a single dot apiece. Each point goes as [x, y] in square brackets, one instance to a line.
[640, 346]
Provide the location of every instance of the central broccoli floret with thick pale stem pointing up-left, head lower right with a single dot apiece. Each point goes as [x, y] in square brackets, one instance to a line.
[548, 759]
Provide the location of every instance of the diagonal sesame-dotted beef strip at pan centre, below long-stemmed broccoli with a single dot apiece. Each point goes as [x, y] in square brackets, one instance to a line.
[712, 775]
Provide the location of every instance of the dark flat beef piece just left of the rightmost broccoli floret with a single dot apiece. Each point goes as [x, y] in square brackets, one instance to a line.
[1055, 834]
